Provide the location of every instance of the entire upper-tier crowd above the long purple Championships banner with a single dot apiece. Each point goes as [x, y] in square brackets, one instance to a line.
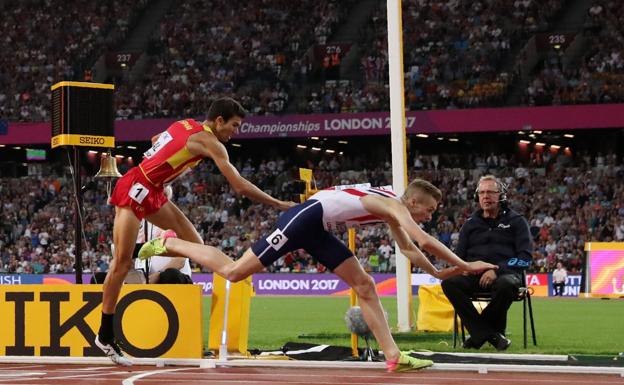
[457, 55]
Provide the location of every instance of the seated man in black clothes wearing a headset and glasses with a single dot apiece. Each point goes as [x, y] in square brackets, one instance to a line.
[498, 235]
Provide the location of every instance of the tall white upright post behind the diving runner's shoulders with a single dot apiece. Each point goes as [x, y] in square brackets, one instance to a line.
[399, 156]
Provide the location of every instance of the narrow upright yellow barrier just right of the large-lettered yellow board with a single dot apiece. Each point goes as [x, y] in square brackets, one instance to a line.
[237, 317]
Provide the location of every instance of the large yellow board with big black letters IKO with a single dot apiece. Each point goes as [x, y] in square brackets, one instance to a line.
[62, 320]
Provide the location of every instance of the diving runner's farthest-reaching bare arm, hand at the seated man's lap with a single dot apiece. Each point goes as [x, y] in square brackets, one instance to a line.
[396, 215]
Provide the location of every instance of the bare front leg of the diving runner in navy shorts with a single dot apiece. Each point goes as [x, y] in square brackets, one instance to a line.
[352, 273]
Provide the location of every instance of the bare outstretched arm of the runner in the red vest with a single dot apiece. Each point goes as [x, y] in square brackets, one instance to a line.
[201, 144]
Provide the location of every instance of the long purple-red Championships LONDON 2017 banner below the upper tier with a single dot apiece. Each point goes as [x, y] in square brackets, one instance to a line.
[372, 123]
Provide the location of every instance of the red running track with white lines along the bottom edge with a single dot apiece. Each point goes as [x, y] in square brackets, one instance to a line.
[27, 374]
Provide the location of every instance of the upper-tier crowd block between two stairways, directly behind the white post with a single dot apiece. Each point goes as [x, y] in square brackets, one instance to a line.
[454, 54]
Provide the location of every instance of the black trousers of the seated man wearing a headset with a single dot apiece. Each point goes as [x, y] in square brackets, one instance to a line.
[493, 319]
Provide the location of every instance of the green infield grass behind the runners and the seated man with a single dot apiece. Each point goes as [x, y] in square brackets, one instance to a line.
[563, 325]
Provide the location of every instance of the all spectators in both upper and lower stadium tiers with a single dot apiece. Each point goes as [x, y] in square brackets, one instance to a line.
[456, 56]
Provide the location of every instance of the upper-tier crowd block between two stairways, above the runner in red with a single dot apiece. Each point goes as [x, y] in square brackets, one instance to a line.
[249, 54]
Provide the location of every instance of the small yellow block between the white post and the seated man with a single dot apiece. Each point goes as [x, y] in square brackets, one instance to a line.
[435, 312]
